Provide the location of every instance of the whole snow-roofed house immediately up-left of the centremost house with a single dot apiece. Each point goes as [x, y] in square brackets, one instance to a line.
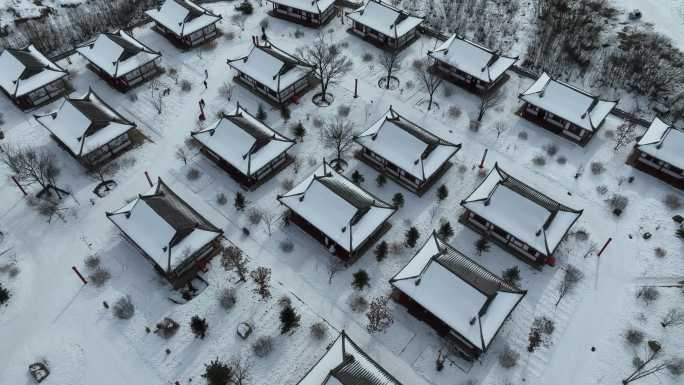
[249, 150]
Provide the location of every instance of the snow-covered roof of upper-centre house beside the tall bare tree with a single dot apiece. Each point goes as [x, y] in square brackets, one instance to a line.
[271, 66]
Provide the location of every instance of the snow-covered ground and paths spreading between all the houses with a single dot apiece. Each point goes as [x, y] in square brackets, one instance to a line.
[52, 316]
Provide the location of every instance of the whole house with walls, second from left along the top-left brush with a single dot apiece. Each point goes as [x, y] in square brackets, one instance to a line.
[121, 60]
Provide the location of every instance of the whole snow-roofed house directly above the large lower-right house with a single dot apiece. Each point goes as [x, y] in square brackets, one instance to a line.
[524, 221]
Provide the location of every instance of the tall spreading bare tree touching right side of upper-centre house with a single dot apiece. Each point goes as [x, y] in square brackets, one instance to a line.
[330, 64]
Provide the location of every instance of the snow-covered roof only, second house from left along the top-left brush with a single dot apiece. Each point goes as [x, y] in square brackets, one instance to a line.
[117, 53]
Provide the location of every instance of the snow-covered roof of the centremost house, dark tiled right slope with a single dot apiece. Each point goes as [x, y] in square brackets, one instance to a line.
[343, 211]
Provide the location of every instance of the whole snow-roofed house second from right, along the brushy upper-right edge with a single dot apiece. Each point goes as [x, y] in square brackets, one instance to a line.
[564, 110]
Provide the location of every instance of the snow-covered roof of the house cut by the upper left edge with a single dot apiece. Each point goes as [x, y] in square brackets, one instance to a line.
[25, 70]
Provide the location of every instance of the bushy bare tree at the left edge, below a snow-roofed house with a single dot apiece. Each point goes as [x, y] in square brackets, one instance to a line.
[31, 166]
